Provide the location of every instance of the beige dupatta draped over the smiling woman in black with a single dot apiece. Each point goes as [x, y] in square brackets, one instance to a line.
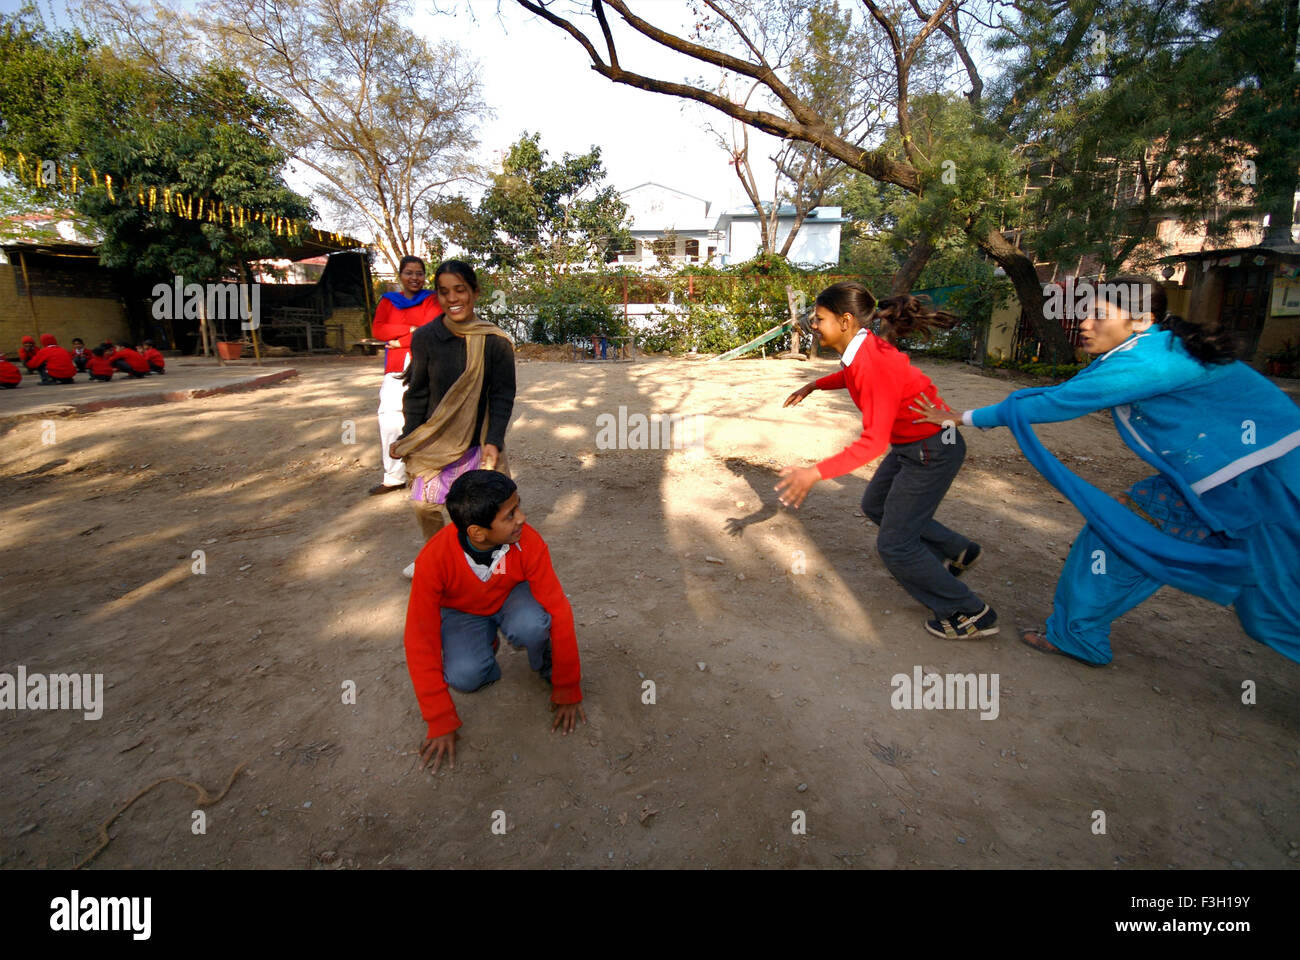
[449, 433]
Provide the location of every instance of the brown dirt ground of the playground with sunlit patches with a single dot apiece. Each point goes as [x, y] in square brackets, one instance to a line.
[772, 687]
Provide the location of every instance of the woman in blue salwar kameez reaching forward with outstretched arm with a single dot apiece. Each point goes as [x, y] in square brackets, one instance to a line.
[1221, 520]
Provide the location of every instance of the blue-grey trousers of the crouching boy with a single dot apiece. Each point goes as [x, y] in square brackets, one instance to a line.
[469, 660]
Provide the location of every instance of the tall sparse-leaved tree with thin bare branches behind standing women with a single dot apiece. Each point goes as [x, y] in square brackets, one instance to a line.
[385, 120]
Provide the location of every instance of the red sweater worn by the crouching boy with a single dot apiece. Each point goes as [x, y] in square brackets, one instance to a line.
[444, 578]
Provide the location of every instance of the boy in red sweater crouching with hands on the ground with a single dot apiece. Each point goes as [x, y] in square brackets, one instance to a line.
[486, 573]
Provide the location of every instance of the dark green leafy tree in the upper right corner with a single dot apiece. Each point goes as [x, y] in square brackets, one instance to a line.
[1185, 110]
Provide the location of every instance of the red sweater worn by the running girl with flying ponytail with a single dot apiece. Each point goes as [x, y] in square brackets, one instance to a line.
[883, 386]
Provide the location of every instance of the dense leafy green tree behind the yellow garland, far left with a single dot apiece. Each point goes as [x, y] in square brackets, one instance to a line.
[158, 140]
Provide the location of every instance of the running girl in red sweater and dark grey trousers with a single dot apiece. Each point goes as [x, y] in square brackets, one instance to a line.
[925, 556]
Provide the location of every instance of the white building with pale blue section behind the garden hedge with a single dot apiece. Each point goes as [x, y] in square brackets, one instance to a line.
[675, 227]
